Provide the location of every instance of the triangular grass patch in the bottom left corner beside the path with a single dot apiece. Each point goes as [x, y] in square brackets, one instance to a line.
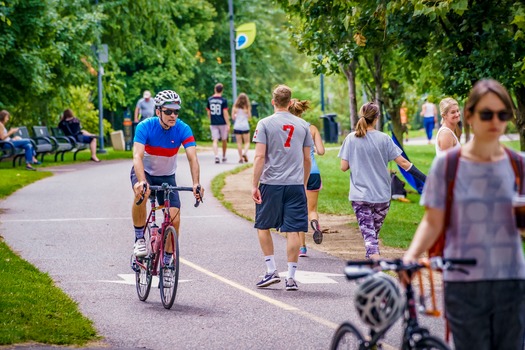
[34, 310]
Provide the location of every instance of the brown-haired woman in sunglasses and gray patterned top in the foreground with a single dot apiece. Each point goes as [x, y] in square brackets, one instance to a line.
[486, 307]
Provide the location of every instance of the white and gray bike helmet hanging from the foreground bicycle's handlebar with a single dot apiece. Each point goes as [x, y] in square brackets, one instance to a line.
[378, 301]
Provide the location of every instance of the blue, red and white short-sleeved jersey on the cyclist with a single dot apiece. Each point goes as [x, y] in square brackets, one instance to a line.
[162, 146]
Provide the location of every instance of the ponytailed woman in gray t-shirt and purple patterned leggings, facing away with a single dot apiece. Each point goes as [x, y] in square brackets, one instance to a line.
[366, 152]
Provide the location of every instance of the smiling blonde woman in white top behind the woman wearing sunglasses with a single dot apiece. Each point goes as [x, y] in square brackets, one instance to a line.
[446, 137]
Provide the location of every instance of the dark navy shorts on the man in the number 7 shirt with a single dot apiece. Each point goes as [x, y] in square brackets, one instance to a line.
[283, 207]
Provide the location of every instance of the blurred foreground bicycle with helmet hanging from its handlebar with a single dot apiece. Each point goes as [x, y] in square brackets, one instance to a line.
[380, 304]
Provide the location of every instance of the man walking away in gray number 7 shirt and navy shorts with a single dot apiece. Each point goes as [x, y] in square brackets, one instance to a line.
[280, 172]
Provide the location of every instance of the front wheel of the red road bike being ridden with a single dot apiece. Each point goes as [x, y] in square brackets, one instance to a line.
[169, 273]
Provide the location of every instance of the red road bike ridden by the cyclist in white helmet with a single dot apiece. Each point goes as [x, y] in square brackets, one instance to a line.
[159, 241]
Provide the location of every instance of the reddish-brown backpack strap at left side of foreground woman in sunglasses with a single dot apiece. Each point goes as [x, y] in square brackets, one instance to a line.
[451, 168]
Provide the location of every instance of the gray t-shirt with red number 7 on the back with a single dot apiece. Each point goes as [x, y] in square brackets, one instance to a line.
[285, 136]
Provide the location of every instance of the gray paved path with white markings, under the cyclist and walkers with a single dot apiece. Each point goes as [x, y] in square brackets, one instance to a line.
[76, 226]
